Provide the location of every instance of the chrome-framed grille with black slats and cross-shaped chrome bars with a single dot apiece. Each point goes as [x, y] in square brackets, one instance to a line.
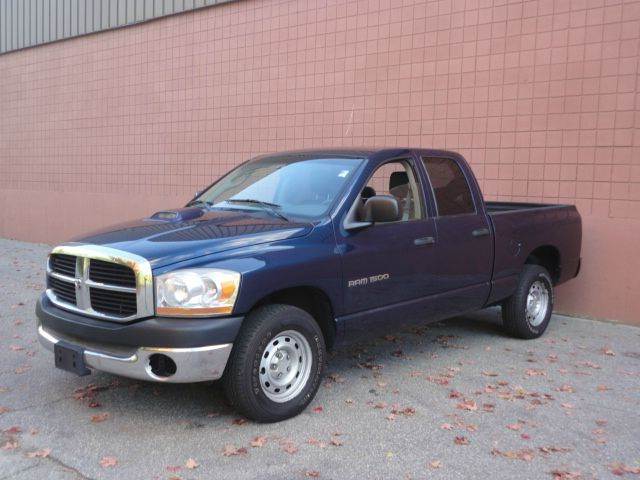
[100, 282]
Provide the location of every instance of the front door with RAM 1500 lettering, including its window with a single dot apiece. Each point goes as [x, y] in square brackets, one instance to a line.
[390, 263]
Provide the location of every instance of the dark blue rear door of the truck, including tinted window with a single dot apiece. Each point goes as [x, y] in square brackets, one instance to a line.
[465, 243]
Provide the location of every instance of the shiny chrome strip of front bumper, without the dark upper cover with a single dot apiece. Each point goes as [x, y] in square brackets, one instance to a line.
[196, 364]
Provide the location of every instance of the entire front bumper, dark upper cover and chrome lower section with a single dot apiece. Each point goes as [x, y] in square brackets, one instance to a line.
[195, 361]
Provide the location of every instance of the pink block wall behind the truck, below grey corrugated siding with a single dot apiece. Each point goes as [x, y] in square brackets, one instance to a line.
[541, 96]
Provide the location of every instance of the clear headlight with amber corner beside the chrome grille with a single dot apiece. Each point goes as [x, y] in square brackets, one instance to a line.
[196, 292]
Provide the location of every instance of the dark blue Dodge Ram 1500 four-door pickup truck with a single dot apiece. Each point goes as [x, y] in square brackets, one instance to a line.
[287, 255]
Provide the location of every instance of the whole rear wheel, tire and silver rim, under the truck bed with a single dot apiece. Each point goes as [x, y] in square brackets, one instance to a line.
[527, 312]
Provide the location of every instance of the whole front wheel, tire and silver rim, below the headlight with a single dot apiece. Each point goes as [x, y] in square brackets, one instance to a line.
[276, 364]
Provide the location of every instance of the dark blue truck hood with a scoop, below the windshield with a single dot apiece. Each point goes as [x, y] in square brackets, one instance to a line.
[176, 235]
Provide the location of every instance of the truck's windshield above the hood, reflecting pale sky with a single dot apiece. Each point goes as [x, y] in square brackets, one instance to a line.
[286, 186]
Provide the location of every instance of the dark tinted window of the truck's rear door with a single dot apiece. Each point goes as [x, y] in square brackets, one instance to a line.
[450, 187]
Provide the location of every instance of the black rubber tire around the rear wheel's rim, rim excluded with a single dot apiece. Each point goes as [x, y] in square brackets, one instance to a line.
[514, 309]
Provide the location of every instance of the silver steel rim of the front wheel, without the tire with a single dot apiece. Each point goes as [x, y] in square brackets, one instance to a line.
[285, 366]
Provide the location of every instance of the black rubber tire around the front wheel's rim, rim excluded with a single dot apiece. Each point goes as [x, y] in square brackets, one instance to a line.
[241, 380]
